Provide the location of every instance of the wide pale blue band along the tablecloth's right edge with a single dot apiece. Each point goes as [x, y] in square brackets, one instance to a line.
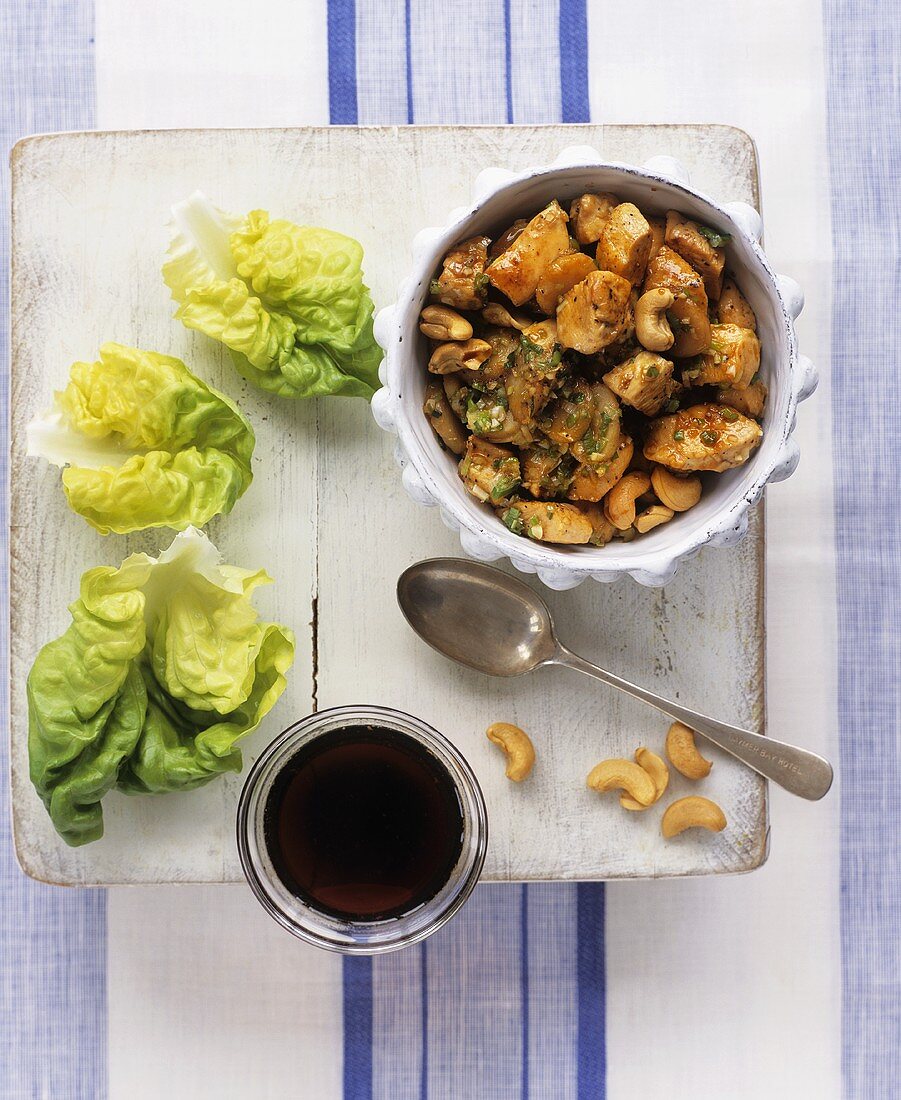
[863, 48]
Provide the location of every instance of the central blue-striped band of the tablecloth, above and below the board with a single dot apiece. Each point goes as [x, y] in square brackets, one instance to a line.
[509, 999]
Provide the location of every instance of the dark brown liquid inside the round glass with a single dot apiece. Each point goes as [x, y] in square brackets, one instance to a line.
[364, 823]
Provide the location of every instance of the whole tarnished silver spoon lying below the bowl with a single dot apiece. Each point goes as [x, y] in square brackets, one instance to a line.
[495, 624]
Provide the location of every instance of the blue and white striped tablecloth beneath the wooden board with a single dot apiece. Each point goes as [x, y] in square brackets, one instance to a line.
[784, 984]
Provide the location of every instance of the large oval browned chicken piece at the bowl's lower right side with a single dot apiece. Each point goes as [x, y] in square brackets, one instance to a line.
[702, 437]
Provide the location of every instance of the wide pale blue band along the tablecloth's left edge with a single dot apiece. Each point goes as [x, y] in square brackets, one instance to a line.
[53, 983]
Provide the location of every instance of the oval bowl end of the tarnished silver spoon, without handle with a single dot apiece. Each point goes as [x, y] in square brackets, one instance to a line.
[478, 617]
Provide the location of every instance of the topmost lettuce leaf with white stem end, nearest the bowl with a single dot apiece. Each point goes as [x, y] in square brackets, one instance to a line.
[288, 301]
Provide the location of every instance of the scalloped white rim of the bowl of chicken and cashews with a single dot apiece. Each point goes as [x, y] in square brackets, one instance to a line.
[482, 535]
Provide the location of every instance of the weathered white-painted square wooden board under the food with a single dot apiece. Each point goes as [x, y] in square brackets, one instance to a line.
[327, 514]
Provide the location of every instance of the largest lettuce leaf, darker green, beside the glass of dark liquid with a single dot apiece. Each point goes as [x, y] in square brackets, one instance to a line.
[164, 668]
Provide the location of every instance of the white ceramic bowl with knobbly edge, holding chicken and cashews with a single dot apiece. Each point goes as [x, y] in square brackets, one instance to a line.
[431, 475]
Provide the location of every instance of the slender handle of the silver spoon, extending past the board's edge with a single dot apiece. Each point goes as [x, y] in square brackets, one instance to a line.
[801, 773]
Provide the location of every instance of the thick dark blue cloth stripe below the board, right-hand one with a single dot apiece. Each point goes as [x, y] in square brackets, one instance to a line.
[592, 1007]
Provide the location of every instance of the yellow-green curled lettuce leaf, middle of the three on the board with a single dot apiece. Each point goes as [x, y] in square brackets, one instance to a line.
[145, 443]
